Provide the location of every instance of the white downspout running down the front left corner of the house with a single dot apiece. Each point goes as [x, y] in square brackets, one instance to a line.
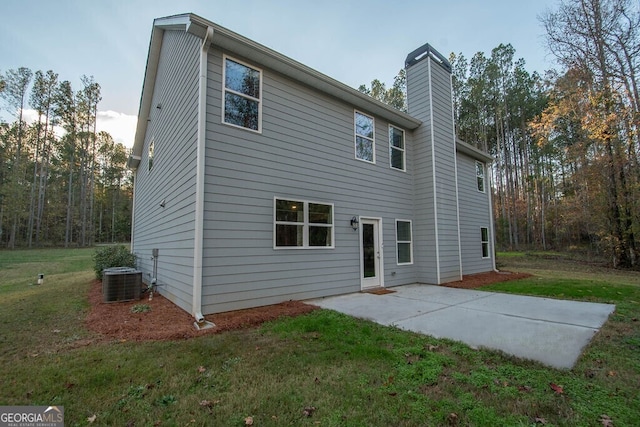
[200, 322]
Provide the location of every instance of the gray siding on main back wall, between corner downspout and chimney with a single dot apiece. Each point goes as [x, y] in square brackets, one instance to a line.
[305, 152]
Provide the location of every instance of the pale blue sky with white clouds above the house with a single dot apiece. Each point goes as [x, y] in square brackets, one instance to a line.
[351, 41]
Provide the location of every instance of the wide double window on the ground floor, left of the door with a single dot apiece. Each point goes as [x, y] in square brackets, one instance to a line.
[301, 224]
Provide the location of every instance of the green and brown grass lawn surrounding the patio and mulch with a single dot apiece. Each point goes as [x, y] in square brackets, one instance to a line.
[323, 368]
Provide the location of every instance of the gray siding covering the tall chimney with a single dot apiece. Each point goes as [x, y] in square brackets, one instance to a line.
[434, 144]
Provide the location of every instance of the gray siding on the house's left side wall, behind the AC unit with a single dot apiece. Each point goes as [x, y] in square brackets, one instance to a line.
[172, 127]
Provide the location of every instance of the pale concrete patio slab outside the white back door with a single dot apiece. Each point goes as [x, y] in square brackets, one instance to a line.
[553, 332]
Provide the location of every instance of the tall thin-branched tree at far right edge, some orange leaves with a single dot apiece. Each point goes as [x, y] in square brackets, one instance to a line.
[600, 38]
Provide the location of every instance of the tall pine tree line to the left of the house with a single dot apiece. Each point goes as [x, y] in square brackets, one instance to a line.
[61, 181]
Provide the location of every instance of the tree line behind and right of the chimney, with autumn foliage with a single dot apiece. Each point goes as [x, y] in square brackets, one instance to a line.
[565, 143]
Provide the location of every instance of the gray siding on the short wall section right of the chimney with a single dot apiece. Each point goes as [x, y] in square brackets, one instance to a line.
[474, 214]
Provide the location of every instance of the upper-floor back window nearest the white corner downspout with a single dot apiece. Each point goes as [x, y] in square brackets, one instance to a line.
[242, 95]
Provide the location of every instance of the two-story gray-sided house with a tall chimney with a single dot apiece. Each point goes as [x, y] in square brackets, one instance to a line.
[260, 180]
